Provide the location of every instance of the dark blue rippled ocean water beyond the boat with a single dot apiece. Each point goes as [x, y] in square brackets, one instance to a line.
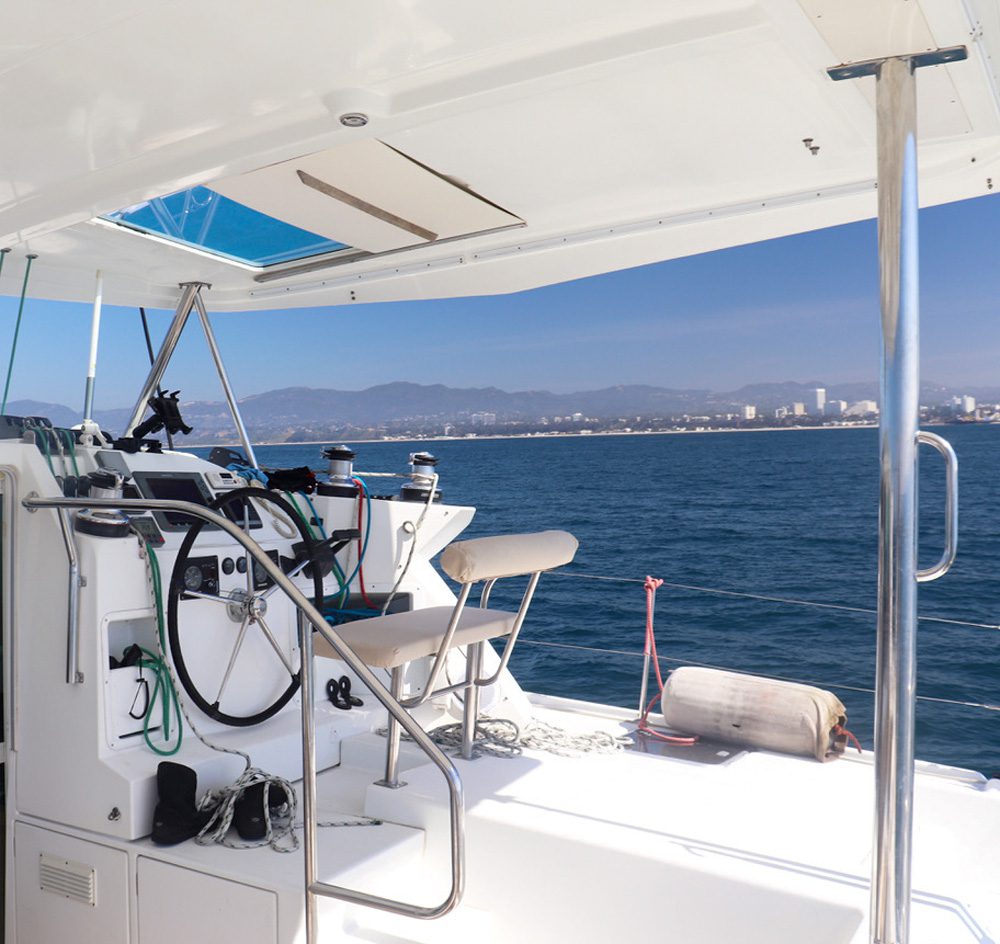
[788, 514]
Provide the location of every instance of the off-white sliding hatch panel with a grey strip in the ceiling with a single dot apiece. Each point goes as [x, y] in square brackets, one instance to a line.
[425, 205]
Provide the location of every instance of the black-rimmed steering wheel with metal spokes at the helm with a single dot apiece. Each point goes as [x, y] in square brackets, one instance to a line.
[245, 609]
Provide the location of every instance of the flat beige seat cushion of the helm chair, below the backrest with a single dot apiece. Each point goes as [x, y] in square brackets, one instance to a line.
[388, 641]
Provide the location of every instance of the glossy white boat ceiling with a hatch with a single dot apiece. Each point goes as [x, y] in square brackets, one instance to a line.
[508, 145]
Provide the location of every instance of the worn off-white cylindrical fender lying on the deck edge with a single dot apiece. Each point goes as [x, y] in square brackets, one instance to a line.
[755, 712]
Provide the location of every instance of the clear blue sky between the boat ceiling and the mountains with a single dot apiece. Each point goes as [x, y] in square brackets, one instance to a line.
[800, 308]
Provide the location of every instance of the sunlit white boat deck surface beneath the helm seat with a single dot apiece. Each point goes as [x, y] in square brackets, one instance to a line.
[757, 847]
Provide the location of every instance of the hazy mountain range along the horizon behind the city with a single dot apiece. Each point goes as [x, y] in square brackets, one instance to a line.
[295, 413]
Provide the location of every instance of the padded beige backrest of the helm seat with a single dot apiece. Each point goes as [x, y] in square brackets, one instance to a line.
[507, 555]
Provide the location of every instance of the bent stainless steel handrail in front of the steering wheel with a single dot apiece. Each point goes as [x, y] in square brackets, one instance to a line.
[456, 804]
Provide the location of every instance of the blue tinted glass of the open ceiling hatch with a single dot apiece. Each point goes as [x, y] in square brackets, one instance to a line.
[207, 220]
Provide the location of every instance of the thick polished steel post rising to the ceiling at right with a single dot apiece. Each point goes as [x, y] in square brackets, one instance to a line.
[895, 683]
